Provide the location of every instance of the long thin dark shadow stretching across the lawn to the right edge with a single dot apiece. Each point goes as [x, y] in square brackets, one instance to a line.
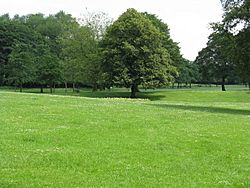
[209, 109]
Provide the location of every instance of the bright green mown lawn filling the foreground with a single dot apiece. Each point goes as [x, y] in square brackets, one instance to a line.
[178, 138]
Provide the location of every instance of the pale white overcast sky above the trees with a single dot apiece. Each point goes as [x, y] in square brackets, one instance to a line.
[188, 19]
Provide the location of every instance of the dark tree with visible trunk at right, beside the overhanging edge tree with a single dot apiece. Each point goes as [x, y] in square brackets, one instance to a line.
[216, 60]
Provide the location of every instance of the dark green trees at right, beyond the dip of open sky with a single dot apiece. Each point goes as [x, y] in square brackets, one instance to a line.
[227, 54]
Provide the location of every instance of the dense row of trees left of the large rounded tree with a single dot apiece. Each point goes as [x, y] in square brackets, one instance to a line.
[44, 51]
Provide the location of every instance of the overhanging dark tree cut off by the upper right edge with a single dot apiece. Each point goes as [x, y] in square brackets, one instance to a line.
[237, 21]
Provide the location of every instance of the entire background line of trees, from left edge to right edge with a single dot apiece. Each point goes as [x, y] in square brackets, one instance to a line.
[135, 50]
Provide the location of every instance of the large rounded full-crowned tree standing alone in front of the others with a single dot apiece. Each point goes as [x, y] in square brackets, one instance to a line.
[134, 53]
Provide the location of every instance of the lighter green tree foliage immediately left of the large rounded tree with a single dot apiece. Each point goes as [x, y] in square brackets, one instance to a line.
[81, 56]
